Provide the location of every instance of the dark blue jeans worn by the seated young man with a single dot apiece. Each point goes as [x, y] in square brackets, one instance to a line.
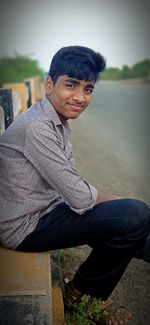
[117, 230]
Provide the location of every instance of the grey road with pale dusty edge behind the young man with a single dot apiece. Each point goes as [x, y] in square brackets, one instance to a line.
[111, 139]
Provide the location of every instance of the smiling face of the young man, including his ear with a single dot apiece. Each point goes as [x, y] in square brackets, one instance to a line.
[69, 96]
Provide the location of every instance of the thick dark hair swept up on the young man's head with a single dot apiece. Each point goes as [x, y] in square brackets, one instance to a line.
[77, 62]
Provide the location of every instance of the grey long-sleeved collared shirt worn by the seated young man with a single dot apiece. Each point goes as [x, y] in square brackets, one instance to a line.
[37, 172]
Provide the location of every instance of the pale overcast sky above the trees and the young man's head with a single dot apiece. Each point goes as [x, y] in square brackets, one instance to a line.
[118, 29]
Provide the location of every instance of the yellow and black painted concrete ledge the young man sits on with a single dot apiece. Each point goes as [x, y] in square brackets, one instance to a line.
[25, 288]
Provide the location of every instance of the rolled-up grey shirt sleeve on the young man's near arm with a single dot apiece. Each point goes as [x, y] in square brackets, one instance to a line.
[44, 150]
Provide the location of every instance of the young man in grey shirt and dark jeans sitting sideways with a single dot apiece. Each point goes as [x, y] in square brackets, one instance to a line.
[45, 203]
